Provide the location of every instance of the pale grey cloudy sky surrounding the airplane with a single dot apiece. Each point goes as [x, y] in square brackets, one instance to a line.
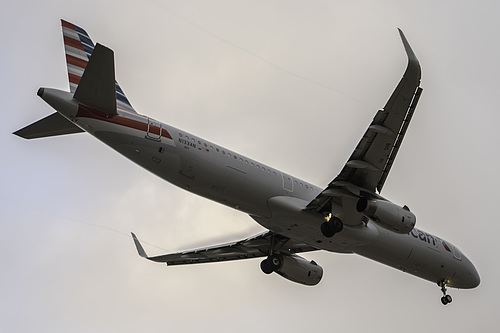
[293, 84]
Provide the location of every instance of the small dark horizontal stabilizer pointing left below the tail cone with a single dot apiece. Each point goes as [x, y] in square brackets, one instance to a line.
[52, 125]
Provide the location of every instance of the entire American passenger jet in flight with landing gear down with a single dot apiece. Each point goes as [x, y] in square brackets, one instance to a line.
[347, 216]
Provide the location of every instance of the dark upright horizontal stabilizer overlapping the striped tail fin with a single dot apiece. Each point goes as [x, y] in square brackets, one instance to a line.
[97, 85]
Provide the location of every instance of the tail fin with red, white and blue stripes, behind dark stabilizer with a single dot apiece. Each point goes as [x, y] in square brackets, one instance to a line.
[78, 47]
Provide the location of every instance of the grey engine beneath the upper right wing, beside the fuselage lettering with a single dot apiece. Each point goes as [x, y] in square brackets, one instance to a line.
[388, 215]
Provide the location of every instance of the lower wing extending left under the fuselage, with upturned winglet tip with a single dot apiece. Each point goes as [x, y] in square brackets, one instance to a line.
[253, 247]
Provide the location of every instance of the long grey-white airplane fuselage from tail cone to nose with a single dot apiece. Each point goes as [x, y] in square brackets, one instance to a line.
[272, 198]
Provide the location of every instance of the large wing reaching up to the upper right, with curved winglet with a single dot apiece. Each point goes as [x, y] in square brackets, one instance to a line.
[368, 167]
